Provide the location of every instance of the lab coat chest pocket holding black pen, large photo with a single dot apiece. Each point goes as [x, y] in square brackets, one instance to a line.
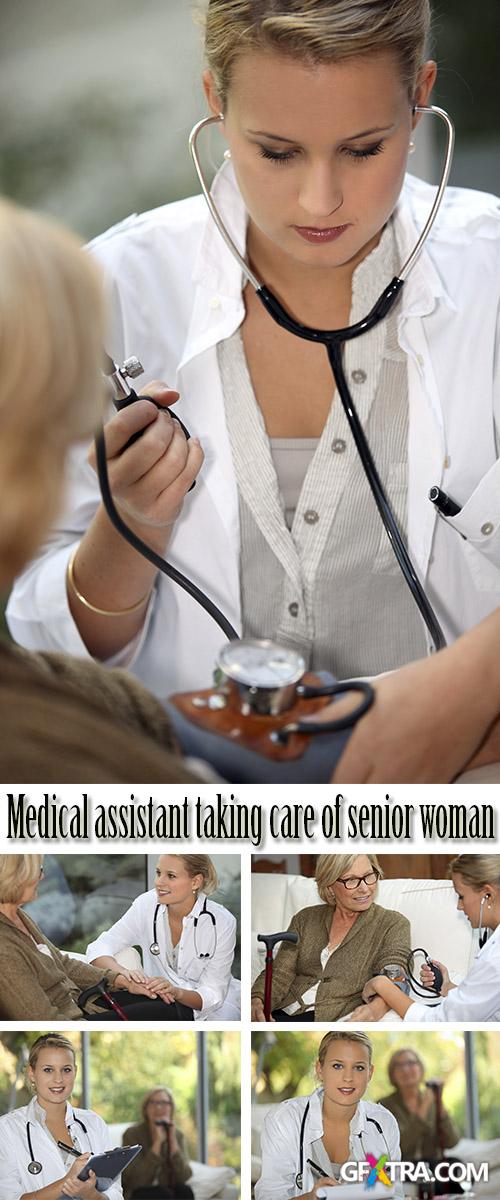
[479, 523]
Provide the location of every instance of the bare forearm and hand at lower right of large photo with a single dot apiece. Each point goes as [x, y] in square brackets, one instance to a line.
[432, 719]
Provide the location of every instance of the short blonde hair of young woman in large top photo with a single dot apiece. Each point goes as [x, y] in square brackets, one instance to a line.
[316, 32]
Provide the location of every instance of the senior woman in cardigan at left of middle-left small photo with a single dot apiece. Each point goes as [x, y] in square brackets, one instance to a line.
[38, 982]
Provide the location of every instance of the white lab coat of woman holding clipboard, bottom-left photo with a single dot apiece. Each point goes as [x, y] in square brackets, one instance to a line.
[15, 1155]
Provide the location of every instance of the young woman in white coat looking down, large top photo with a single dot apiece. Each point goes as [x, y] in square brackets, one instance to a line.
[318, 101]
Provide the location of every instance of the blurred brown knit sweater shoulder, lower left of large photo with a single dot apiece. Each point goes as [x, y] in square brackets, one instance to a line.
[68, 721]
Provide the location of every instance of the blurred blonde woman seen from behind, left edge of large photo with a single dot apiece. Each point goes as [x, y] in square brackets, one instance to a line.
[64, 721]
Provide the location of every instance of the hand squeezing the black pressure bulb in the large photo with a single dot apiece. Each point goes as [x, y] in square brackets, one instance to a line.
[150, 479]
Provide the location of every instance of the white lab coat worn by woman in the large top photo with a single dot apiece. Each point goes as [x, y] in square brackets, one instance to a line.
[176, 295]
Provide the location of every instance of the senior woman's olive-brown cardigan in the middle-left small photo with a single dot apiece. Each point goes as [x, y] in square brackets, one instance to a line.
[35, 987]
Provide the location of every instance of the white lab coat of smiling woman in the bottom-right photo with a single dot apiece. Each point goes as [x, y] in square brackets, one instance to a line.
[280, 1144]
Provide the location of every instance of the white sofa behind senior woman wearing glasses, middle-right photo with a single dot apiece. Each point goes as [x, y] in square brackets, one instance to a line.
[431, 907]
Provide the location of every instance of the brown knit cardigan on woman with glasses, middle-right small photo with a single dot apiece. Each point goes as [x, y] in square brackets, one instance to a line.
[379, 937]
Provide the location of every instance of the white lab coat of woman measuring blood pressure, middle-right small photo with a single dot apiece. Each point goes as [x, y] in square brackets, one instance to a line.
[477, 999]
